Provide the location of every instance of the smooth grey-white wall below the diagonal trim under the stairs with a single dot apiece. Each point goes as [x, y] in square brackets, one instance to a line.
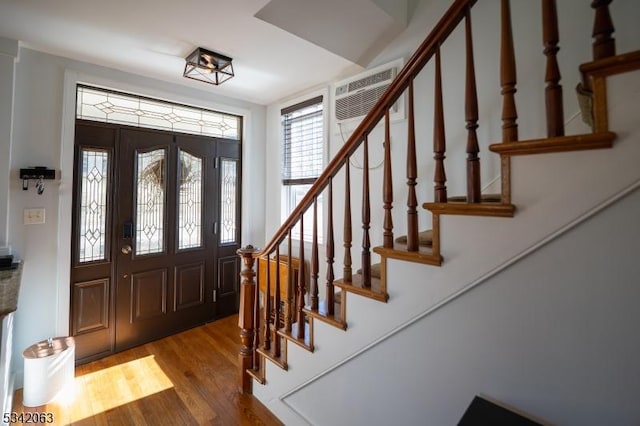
[555, 335]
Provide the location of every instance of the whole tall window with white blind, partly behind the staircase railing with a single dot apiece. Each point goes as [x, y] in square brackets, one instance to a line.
[302, 159]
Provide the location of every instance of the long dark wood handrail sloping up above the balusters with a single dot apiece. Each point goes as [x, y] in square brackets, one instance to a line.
[414, 65]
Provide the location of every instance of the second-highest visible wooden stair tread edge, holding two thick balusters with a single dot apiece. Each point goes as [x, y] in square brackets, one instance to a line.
[598, 140]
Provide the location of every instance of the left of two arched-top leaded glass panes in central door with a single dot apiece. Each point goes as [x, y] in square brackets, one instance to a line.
[150, 201]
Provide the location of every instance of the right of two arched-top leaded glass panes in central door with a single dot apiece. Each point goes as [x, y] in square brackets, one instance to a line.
[190, 201]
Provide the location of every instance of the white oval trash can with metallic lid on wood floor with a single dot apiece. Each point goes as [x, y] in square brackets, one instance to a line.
[49, 369]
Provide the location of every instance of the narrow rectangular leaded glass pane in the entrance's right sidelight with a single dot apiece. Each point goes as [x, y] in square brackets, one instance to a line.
[228, 200]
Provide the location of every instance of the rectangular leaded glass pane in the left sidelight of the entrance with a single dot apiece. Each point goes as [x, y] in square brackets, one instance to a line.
[93, 205]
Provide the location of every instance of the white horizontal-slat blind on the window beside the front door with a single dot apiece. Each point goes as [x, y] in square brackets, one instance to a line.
[303, 132]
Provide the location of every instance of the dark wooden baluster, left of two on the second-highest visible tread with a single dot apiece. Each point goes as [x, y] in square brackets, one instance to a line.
[508, 77]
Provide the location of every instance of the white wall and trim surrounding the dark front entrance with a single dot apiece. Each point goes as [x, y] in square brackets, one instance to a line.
[43, 135]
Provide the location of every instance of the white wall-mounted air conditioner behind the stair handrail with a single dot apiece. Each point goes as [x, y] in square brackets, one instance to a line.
[355, 97]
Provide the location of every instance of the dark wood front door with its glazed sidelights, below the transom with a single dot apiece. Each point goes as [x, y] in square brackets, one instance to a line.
[169, 206]
